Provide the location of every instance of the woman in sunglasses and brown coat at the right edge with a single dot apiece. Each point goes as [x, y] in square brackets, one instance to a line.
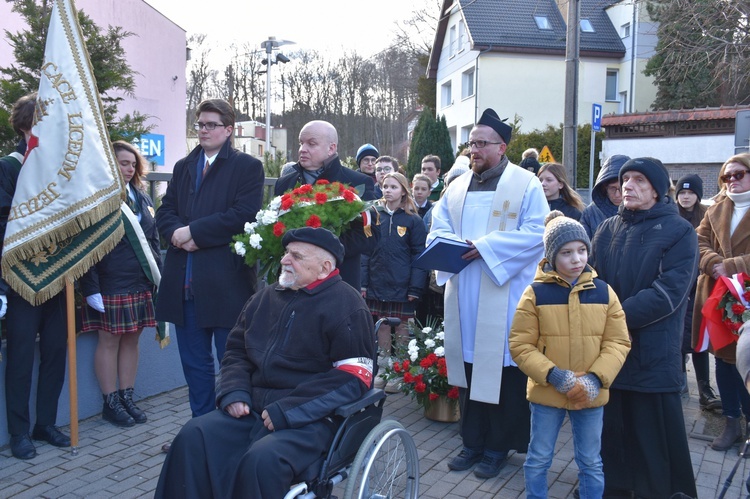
[724, 243]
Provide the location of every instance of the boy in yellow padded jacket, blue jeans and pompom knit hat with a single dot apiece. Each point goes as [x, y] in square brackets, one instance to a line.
[570, 338]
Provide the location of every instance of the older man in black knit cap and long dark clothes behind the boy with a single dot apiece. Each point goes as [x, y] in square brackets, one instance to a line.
[648, 254]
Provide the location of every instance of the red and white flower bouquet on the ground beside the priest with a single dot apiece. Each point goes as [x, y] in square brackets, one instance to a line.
[422, 366]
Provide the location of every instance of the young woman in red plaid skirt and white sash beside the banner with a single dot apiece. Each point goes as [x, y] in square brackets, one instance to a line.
[119, 291]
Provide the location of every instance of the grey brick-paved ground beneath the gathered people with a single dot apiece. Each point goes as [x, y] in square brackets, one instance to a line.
[114, 462]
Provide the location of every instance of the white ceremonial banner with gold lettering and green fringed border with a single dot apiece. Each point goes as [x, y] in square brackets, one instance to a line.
[66, 209]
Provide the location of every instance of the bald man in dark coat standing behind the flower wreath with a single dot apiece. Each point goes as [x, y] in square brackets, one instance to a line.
[319, 160]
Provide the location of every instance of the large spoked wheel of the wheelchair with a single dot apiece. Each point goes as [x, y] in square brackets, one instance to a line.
[386, 465]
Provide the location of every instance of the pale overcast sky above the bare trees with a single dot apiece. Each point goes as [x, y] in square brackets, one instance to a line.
[328, 25]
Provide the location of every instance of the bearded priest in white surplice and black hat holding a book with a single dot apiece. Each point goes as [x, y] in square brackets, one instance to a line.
[499, 208]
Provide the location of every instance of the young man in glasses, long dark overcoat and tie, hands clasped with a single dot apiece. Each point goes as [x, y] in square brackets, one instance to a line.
[214, 191]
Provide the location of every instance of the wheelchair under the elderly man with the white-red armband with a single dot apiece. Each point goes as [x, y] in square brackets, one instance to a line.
[378, 459]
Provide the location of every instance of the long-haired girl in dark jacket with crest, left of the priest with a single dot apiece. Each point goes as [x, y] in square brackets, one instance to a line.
[389, 282]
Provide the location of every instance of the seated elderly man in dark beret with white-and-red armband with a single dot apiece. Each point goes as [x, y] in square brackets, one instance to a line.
[299, 350]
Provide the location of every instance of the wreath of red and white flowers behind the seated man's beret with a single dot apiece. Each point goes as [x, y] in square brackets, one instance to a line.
[331, 205]
